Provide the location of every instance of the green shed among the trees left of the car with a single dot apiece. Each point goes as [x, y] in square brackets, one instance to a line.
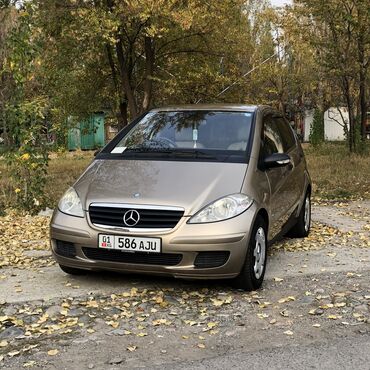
[88, 134]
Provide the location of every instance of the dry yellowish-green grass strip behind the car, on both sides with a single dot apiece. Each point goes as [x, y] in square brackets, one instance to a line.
[336, 175]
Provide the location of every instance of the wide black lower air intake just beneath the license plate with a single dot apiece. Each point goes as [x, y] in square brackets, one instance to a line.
[164, 259]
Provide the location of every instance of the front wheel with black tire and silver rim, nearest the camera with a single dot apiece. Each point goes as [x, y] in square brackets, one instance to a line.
[252, 273]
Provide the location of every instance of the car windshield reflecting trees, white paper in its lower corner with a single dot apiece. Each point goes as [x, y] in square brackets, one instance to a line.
[191, 133]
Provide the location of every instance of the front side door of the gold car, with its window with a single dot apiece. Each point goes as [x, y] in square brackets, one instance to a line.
[279, 178]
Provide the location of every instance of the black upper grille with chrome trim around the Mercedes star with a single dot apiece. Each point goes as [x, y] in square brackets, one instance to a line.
[149, 218]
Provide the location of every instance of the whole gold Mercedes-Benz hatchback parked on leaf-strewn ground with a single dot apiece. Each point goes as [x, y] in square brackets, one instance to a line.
[196, 191]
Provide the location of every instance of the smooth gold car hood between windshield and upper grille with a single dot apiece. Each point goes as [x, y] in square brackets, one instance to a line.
[190, 185]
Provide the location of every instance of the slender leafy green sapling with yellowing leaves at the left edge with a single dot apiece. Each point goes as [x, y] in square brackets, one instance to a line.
[24, 113]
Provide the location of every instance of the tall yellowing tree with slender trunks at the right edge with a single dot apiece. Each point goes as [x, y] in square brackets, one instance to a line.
[339, 33]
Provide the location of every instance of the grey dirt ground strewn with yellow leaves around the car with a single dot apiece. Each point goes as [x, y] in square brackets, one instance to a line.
[313, 310]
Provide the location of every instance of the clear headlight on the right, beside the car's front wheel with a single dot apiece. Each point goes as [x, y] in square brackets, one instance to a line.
[222, 209]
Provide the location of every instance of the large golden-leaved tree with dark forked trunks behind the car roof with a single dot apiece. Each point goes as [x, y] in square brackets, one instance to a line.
[137, 51]
